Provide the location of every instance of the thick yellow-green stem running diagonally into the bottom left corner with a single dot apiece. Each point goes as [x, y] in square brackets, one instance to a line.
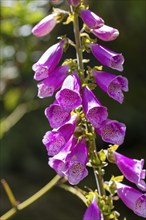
[31, 199]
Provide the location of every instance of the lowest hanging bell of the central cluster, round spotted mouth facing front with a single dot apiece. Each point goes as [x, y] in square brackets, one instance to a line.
[76, 163]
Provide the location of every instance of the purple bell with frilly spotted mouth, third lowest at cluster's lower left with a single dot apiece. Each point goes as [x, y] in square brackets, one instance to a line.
[56, 139]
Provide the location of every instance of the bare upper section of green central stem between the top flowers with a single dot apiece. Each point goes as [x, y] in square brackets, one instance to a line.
[79, 53]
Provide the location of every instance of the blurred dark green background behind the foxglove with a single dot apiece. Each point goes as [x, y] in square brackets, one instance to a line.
[23, 160]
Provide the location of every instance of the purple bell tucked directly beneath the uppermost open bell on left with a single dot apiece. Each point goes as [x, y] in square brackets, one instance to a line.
[53, 82]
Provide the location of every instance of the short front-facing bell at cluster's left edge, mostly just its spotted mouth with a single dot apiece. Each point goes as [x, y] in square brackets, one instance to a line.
[56, 115]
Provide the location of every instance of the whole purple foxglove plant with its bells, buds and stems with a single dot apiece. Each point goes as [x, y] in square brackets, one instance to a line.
[77, 116]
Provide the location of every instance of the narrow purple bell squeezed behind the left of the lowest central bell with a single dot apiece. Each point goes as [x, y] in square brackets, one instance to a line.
[58, 162]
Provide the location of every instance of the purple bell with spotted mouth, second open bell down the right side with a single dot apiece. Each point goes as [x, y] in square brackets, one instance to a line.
[111, 84]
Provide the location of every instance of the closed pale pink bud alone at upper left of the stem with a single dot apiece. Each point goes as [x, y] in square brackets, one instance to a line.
[45, 26]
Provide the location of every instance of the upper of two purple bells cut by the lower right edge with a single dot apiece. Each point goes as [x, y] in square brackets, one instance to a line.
[132, 169]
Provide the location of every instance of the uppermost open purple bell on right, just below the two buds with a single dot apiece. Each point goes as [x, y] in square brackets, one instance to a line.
[107, 57]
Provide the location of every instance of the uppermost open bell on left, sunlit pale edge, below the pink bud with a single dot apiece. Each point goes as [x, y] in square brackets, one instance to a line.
[48, 61]
